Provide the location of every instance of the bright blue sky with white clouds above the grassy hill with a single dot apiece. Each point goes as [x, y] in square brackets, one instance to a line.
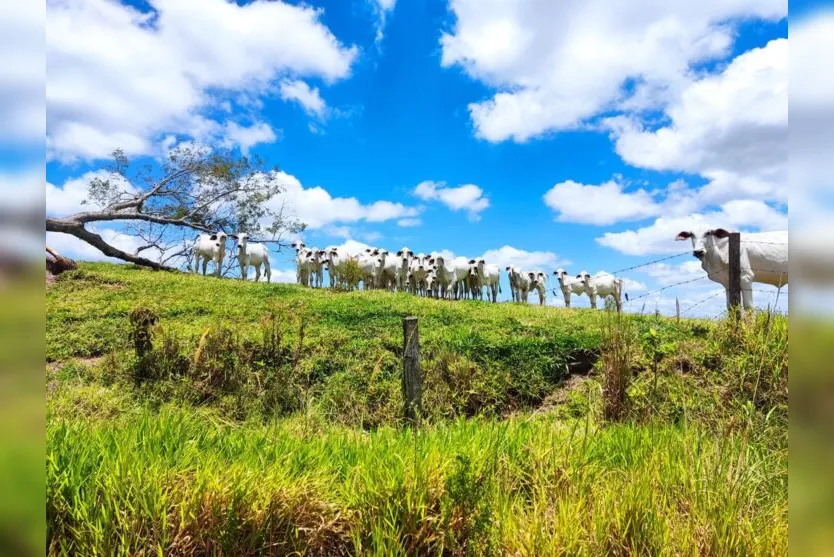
[576, 134]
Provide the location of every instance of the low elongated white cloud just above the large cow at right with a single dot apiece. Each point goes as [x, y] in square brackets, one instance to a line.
[659, 237]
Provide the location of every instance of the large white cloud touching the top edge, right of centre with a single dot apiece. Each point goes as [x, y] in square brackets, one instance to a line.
[554, 65]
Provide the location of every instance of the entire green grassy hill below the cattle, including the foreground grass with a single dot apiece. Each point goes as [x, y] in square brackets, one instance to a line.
[266, 419]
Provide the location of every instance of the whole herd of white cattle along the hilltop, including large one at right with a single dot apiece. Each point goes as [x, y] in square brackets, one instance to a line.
[764, 259]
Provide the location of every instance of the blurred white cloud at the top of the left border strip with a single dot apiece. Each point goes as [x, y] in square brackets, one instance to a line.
[22, 73]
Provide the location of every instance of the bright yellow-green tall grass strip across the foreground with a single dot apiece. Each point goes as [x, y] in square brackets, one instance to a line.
[180, 482]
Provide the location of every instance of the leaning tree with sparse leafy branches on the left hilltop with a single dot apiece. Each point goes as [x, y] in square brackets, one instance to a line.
[163, 205]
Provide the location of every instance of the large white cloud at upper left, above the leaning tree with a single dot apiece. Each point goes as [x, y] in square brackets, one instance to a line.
[119, 77]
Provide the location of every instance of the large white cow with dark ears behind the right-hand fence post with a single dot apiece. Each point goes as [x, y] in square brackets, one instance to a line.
[764, 258]
